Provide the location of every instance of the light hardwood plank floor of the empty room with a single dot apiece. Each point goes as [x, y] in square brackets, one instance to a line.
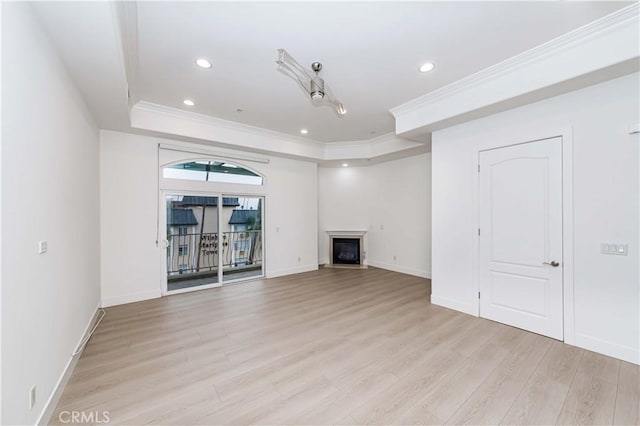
[336, 346]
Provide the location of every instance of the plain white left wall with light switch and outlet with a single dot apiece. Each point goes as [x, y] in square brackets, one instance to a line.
[49, 192]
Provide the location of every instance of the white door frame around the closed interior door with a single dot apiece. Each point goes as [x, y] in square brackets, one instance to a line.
[518, 137]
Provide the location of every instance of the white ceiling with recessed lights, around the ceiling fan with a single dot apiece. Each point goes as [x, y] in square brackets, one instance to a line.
[370, 51]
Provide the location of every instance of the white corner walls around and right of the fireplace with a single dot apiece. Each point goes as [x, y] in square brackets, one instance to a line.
[390, 200]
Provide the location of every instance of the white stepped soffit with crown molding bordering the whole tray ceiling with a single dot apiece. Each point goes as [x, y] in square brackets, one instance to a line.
[607, 40]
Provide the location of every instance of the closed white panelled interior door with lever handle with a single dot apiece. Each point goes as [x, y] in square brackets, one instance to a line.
[520, 206]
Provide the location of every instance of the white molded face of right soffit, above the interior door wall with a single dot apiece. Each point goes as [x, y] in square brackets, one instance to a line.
[599, 45]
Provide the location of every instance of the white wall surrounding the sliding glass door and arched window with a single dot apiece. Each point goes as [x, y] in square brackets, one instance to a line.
[131, 261]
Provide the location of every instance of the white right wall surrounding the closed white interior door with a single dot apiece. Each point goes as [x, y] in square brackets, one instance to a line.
[605, 191]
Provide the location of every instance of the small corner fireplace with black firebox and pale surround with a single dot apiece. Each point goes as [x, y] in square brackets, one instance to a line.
[347, 249]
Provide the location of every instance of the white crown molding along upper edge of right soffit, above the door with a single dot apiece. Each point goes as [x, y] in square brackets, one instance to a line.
[623, 23]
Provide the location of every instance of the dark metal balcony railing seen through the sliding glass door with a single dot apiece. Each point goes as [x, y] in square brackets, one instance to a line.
[198, 252]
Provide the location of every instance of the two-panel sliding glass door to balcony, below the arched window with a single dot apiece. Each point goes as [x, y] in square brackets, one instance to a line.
[212, 239]
